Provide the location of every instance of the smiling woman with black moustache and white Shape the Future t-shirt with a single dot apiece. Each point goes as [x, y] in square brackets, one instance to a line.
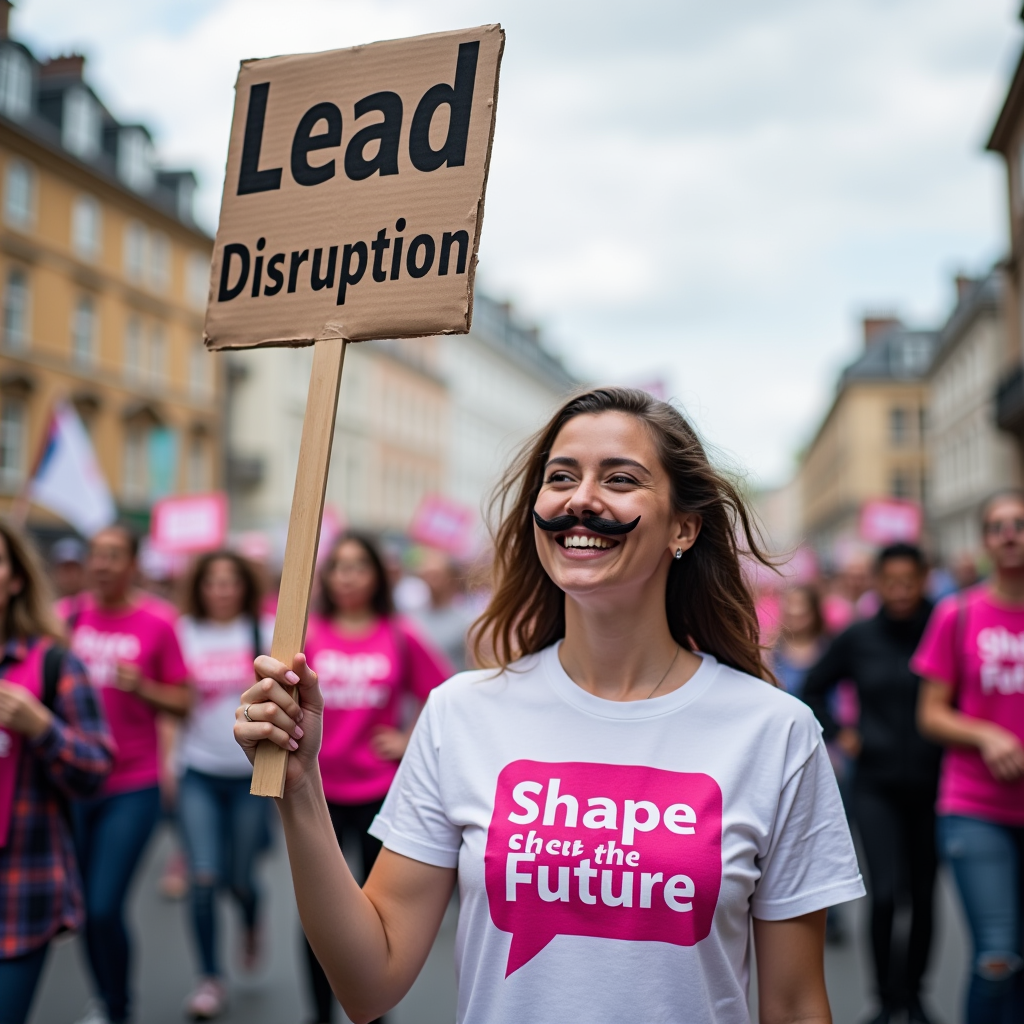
[620, 796]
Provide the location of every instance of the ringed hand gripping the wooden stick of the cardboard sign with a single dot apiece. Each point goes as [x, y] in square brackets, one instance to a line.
[275, 715]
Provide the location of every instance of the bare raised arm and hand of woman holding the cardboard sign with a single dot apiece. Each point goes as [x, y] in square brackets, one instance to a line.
[372, 943]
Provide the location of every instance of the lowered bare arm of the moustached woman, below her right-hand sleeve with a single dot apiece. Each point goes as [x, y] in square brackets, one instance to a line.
[791, 970]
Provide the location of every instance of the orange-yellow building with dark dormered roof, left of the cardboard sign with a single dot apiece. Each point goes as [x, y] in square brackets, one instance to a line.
[104, 280]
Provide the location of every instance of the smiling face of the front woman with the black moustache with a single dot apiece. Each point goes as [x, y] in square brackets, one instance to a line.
[607, 465]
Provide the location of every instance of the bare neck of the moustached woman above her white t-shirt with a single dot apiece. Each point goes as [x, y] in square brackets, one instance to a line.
[624, 654]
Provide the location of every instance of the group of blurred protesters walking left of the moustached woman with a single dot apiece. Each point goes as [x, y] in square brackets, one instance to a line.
[117, 706]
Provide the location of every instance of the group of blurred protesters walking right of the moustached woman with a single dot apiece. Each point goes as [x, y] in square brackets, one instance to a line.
[923, 707]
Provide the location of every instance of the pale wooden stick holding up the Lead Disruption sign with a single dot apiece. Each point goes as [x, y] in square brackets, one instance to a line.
[304, 538]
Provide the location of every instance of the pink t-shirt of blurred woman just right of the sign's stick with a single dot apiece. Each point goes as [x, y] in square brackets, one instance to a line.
[364, 680]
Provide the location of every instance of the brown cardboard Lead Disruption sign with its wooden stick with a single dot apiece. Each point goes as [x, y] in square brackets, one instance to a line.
[353, 208]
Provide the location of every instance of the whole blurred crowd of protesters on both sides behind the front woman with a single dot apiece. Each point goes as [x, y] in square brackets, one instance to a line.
[922, 706]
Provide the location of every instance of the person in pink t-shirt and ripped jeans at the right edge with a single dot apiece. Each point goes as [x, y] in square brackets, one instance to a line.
[972, 662]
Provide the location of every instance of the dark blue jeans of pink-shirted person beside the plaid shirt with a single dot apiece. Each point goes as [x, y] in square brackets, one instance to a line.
[111, 834]
